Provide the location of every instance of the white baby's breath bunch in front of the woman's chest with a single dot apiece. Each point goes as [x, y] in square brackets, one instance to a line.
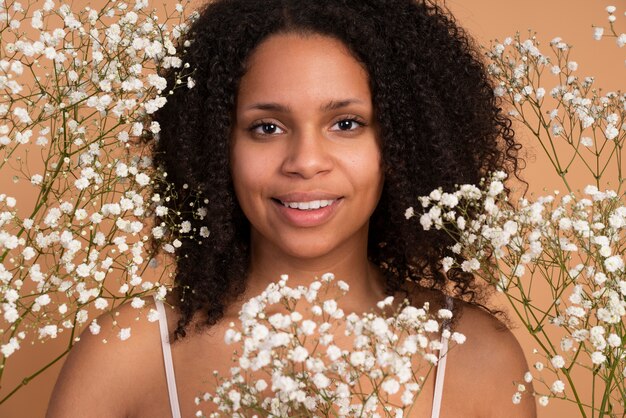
[309, 365]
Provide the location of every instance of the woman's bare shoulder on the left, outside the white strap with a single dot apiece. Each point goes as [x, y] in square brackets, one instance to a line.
[102, 372]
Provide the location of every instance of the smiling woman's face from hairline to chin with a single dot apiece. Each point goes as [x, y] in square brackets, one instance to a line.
[305, 159]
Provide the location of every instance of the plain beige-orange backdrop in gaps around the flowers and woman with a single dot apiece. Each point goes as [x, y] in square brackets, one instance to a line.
[485, 20]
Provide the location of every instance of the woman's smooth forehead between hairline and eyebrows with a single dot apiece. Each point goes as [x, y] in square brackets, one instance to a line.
[290, 66]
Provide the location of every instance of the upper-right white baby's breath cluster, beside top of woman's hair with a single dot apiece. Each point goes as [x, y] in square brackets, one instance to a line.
[516, 64]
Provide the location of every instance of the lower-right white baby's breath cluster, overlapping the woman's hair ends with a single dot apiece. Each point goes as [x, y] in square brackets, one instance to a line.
[575, 244]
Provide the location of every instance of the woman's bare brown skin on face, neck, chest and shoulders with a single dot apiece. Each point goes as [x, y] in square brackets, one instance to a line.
[307, 152]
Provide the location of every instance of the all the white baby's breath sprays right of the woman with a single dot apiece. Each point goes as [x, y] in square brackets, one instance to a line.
[571, 246]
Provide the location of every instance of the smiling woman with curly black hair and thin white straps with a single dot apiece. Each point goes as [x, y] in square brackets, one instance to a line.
[312, 126]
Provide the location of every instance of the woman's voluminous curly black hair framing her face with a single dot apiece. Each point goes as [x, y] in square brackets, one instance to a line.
[440, 126]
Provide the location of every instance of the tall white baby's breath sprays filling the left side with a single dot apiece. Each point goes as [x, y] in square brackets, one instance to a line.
[83, 240]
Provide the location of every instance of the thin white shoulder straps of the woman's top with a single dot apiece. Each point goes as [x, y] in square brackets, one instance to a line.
[171, 378]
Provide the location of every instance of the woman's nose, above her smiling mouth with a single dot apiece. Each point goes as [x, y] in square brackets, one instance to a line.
[308, 154]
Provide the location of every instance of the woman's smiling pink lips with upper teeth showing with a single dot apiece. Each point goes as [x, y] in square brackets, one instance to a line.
[306, 209]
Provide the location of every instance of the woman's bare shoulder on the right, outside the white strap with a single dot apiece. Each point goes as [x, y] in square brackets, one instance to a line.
[490, 362]
